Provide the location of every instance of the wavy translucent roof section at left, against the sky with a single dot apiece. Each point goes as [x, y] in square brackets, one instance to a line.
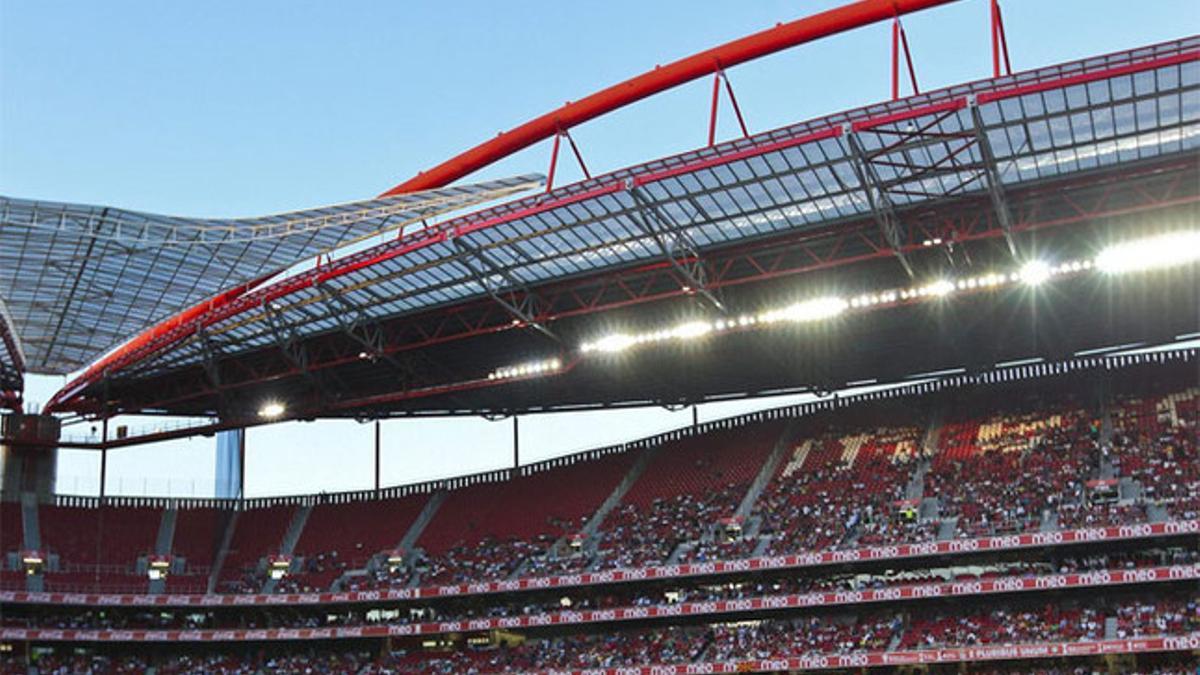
[77, 280]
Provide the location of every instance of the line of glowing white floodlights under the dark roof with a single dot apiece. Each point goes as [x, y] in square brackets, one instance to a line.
[1154, 253]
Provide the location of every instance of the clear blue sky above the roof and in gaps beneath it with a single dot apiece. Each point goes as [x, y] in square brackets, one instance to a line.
[243, 109]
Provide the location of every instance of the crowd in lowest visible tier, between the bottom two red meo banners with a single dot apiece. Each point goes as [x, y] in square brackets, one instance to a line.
[880, 631]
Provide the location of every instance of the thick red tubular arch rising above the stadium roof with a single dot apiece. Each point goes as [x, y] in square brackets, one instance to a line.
[662, 79]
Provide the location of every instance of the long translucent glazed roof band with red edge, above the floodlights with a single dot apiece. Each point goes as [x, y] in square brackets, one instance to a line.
[869, 163]
